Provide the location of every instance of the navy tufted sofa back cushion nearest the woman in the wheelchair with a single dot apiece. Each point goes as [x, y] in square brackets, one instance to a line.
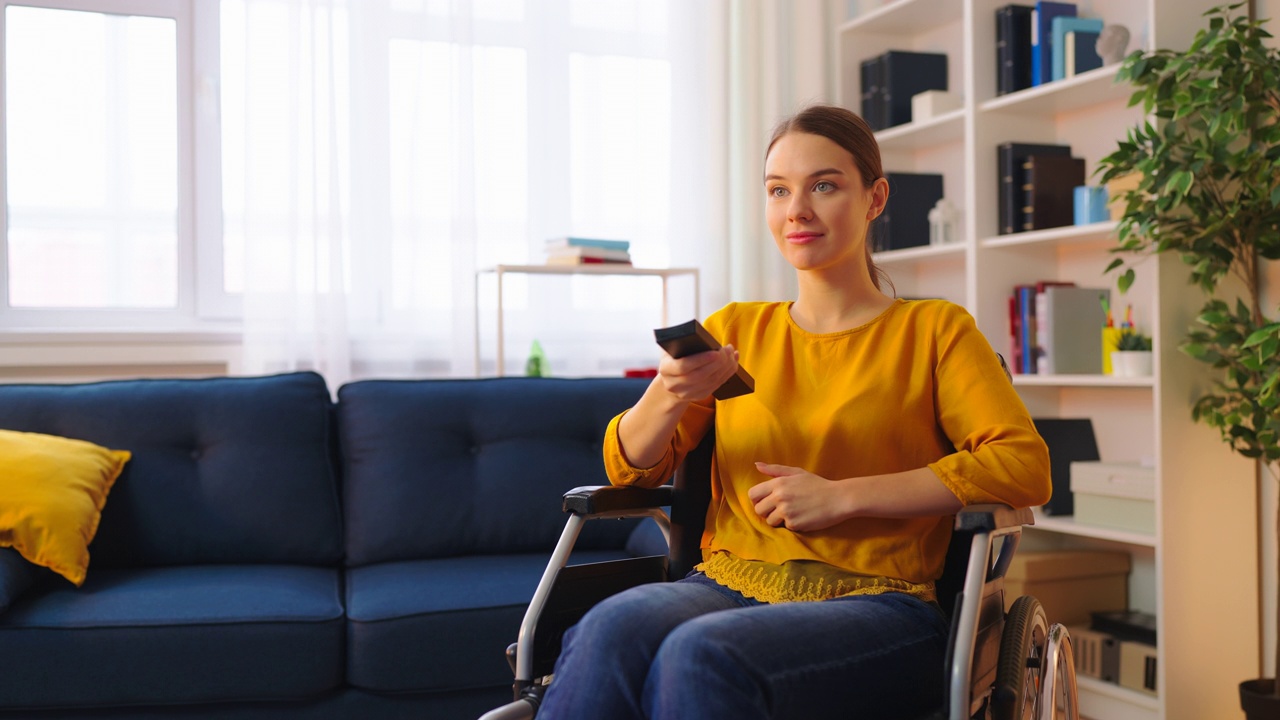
[447, 468]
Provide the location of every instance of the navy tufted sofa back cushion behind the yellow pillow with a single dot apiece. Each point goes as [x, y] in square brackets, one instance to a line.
[223, 470]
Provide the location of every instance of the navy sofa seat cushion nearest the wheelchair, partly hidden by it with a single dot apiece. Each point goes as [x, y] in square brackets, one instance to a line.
[441, 625]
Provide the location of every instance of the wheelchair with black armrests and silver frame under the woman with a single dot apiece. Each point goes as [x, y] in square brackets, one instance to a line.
[1000, 666]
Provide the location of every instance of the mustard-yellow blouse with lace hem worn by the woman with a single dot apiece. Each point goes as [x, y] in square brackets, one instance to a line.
[918, 386]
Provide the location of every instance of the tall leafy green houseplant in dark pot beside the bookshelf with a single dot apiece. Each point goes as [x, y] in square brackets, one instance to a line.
[1209, 190]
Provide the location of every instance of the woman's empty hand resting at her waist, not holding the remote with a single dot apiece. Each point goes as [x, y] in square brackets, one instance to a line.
[797, 499]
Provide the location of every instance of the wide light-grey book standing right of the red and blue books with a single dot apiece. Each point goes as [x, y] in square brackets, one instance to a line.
[1073, 329]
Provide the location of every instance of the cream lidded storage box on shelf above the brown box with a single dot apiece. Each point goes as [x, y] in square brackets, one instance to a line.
[1116, 495]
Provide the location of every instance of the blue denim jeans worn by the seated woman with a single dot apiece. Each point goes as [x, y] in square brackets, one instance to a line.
[697, 650]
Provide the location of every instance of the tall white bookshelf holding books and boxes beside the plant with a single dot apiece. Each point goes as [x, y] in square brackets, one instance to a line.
[1200, 567]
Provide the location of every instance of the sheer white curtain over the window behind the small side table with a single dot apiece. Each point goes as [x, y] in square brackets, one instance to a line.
[380, 154]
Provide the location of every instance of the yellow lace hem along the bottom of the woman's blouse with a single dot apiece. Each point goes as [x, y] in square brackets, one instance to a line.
[801, 580]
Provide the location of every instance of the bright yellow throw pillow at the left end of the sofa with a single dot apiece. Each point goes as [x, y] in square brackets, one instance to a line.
[52, 496]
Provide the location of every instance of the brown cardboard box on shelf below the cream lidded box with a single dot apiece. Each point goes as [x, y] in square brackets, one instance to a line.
[1071, 585]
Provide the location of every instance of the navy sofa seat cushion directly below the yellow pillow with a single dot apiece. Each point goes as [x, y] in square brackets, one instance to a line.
[175, 636]
